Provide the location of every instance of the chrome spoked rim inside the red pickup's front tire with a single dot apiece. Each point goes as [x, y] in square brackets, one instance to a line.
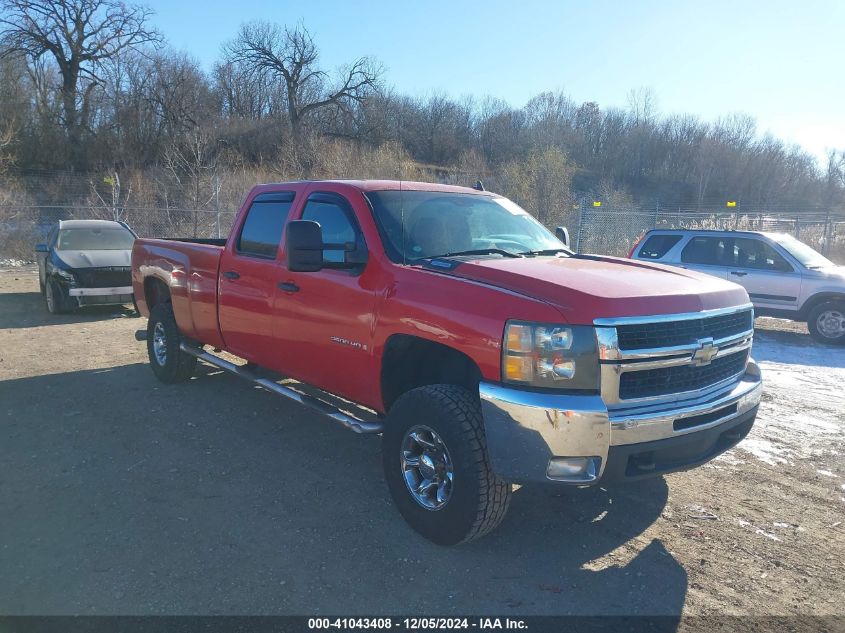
[426, 467]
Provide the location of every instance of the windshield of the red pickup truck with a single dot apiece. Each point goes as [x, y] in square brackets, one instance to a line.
[422, 224]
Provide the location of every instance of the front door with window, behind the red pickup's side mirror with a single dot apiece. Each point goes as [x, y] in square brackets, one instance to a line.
[324, 320]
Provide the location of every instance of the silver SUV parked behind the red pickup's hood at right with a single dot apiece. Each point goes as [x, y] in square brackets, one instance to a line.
[783, 276]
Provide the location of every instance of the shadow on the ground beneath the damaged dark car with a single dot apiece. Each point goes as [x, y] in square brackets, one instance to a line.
[27, 309]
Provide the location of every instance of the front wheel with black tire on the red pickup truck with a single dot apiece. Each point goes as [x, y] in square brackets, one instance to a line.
[436, 465]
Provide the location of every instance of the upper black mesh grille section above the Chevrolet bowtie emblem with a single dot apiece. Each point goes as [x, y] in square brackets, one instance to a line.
[673, 333]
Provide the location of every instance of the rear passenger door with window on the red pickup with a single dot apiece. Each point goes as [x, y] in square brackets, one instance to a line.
[249, 271]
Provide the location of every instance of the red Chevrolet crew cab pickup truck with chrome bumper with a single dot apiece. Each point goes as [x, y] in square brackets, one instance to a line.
[449, 320]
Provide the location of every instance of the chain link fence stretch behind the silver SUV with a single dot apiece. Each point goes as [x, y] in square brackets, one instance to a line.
[613, 230]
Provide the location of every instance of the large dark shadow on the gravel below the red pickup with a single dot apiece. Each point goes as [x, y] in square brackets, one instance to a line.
[215, 497]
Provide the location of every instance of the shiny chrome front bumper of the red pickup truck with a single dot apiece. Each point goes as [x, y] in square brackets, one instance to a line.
[527, 429]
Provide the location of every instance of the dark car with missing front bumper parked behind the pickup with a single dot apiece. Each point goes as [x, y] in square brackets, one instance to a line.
[85, 262]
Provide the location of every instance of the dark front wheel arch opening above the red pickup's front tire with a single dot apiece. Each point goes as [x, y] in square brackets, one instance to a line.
[410, 361]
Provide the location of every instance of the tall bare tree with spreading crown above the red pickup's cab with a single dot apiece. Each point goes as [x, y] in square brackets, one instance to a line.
[290, 56]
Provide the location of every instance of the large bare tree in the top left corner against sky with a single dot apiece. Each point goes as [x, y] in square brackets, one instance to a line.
[81, 35]
